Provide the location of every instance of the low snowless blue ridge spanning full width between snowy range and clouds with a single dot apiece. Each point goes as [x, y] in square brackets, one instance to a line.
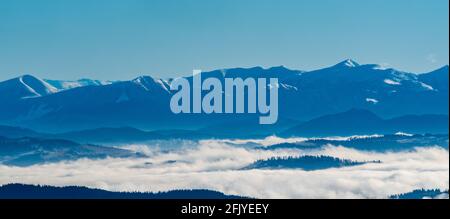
[352, 122]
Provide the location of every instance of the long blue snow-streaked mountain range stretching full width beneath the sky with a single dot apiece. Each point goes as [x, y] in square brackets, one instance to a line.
[64, 106]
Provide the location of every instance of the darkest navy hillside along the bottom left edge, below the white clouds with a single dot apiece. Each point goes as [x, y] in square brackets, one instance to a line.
[20, 191]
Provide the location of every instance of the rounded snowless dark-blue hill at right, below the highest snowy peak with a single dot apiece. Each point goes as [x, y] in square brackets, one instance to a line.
[361, 122]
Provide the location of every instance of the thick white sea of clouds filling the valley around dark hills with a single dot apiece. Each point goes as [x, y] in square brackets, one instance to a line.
[216, 165]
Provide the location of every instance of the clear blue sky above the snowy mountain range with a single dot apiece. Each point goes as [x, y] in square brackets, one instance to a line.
[119, 40]
